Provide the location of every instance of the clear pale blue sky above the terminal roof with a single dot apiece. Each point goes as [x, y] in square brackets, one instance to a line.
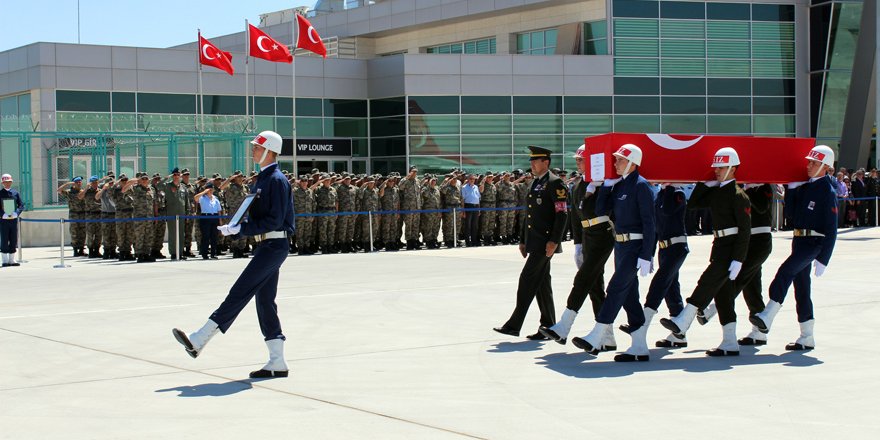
[141, 23]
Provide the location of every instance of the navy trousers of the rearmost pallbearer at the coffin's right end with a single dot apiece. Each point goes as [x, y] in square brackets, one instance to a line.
[796, 269]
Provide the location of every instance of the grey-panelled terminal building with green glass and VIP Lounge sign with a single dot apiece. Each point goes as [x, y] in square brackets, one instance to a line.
[444, 84]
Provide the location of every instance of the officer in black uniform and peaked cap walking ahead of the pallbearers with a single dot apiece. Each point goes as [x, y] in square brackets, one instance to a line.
[542, 233]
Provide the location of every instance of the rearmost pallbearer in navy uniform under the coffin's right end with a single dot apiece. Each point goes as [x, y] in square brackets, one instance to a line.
[811, 207]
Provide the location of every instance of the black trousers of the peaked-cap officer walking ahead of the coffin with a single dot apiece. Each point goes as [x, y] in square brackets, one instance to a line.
[534, 282]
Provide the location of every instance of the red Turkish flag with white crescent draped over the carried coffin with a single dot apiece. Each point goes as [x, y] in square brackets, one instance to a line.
[689, 158]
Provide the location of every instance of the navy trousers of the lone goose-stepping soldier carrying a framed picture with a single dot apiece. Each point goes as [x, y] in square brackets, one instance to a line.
[260, 279]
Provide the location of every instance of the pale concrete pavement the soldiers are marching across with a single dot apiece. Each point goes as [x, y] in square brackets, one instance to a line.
[399, 345]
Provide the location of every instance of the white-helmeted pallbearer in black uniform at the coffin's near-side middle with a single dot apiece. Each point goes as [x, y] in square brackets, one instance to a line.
[730, 210]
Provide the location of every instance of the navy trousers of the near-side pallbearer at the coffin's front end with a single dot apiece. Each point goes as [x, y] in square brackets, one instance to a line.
[623, 288]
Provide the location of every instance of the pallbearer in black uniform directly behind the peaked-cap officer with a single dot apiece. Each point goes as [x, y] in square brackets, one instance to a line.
[593, 243]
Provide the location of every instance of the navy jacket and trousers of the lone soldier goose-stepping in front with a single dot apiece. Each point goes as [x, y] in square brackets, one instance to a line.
[270, 212]
